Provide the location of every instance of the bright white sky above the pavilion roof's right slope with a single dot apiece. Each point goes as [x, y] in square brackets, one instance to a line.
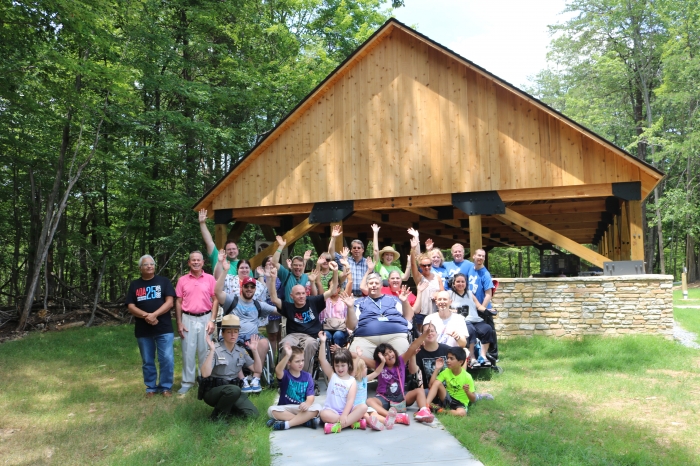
[509, 38]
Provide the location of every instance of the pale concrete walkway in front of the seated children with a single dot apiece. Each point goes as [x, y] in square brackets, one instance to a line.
[417, 444]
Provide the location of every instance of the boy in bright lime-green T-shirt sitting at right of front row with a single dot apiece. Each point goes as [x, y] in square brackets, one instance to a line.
[458, 388]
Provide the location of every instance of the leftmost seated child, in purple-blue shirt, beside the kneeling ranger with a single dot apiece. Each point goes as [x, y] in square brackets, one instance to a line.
[296, 405]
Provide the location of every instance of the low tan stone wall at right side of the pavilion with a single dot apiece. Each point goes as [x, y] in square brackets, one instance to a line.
[570, 307]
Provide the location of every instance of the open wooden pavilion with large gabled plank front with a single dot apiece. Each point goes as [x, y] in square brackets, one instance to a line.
[406, 133]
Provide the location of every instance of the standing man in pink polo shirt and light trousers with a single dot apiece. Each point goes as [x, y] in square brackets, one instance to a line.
[195, 293]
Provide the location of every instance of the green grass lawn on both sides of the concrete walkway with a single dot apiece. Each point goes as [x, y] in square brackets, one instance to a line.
[76, 397]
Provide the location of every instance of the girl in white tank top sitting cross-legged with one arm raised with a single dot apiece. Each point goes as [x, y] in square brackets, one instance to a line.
[339, 410]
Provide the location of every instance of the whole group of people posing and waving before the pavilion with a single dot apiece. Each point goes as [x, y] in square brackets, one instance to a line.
[347, 293]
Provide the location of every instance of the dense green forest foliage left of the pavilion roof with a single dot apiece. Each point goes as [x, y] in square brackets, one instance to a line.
[185, 89]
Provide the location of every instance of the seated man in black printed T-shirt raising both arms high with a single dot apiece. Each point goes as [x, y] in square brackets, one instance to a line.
[303, 315]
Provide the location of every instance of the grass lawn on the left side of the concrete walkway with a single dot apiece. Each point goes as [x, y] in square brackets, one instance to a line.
[77, 397]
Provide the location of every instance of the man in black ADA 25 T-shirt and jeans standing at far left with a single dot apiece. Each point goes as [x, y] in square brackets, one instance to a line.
[149, 300]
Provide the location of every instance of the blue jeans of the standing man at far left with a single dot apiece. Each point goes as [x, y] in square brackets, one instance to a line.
[164, 345]
